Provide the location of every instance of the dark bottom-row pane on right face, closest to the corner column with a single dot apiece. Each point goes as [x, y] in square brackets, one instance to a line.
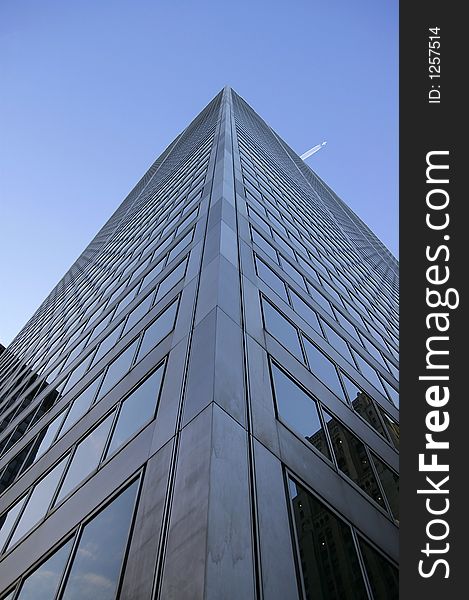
[328, 558]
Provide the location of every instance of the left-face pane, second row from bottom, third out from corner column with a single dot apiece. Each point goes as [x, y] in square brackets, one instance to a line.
[38, 501]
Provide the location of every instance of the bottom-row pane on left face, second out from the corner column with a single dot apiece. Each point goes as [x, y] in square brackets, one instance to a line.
[42, 584]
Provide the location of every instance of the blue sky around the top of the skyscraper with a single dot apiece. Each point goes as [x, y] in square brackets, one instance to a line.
[92, 91]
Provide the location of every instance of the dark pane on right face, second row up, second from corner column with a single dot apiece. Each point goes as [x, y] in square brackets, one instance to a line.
[352, 458]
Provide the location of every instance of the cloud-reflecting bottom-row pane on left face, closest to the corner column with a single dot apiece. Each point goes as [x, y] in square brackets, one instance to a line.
[96, 567]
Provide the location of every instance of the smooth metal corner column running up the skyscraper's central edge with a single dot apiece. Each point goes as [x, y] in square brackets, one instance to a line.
[209, 545]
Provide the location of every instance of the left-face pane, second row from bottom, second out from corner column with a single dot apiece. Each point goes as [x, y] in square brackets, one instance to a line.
[86, 458]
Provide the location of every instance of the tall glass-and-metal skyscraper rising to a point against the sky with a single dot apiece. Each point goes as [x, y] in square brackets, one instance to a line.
[205, 406]
